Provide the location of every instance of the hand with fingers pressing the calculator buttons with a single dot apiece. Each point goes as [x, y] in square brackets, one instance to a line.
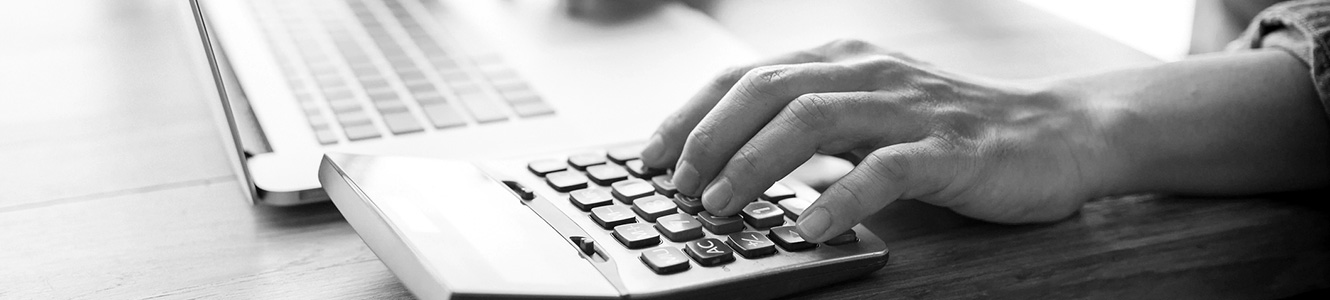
[994, 151]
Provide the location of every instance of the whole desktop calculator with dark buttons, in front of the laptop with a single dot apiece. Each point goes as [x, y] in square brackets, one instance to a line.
[591, 224]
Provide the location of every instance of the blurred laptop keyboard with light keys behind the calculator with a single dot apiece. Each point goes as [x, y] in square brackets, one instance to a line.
[366, 70]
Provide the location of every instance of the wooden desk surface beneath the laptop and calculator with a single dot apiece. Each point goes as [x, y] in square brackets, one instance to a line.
[116, 184]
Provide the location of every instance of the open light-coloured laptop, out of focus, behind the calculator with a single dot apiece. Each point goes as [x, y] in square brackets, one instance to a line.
[458, 80]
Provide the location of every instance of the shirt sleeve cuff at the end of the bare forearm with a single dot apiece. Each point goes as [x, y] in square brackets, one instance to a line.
[1303, 30]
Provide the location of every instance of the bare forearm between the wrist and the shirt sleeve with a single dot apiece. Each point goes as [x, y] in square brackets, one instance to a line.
[1222, 125]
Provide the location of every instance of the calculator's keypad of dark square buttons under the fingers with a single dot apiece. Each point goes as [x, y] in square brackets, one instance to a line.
[671, 232]
